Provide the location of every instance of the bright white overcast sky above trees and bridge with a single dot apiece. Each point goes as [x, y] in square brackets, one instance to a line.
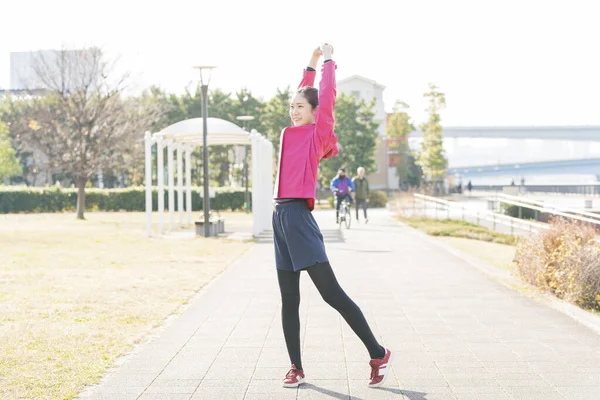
[524, 62]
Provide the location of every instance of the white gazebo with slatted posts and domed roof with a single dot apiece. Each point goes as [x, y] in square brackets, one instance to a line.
[185, 135]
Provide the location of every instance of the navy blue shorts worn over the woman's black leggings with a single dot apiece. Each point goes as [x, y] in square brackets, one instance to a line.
[298, 239]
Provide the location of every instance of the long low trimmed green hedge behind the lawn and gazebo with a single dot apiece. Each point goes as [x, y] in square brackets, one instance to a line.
[19, 199]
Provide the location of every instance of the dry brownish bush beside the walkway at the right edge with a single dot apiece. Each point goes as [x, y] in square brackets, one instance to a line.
[564, 260]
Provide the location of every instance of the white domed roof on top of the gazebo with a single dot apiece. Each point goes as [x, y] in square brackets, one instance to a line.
[220, 132]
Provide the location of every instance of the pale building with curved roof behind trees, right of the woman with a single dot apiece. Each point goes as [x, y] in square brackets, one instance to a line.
[384, 176]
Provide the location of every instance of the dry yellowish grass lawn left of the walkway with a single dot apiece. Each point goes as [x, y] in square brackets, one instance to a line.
[75, 295]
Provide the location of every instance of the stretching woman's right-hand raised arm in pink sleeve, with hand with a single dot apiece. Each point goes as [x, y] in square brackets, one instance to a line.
[324, 120]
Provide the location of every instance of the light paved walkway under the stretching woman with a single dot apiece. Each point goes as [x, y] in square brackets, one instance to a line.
[457, 333]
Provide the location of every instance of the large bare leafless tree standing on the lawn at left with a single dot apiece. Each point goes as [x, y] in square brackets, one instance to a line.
[83, 123]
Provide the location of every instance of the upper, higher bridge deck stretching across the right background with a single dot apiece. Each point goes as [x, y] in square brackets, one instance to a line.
[579, 133]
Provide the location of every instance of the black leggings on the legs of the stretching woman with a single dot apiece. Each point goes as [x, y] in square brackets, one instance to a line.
[324, 279]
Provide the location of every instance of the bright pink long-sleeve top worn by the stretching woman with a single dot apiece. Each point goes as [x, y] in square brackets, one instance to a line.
[302, 147]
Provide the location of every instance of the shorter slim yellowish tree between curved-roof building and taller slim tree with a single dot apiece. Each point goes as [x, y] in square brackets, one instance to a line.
[398, 129]
